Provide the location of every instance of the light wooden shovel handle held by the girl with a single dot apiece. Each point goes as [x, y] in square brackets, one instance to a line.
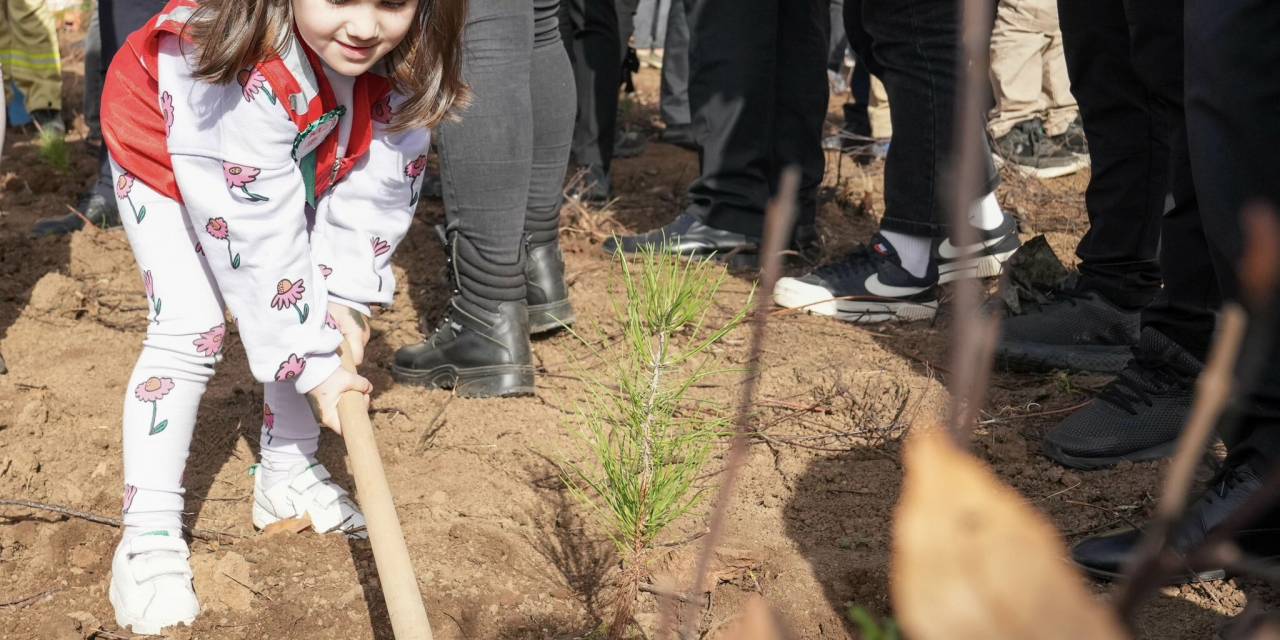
[391, 555]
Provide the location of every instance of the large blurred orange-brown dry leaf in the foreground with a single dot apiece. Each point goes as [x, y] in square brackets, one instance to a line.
[973, 561]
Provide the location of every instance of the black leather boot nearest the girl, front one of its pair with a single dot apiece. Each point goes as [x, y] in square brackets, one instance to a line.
[476, 353]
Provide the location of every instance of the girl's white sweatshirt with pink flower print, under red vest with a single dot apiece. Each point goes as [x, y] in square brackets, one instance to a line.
[234, 157]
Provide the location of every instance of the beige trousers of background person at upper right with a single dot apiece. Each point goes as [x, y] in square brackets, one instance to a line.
[1028, 68]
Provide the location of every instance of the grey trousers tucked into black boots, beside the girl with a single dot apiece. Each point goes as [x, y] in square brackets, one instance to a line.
[502, 167]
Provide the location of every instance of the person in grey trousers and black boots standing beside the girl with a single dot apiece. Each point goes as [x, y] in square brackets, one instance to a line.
[502, 168]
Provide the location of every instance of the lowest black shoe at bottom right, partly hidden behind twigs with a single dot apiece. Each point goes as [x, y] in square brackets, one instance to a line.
[1108, 556]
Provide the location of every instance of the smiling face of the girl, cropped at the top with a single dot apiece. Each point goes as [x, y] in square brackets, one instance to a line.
[354, 35]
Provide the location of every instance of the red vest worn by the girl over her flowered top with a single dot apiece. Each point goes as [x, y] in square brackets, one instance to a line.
[135, 129]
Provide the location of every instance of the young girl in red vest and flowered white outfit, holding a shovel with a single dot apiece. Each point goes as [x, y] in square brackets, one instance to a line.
[267, 158]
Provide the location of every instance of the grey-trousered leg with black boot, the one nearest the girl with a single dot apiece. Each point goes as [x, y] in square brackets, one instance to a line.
[482, 348]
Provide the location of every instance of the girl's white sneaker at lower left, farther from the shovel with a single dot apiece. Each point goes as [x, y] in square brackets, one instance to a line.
[152, 583]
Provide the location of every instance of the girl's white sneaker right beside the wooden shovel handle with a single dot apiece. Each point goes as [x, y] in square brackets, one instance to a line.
[309, 492]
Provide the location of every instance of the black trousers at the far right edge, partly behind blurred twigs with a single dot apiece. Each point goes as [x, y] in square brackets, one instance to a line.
[1233, 102]
